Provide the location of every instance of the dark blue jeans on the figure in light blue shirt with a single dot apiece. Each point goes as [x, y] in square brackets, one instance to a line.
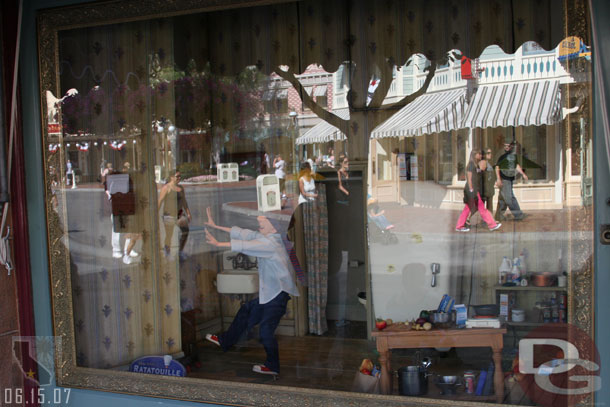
[267, 316]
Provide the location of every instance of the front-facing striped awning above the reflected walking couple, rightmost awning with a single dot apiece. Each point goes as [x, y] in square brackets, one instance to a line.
[531, 103]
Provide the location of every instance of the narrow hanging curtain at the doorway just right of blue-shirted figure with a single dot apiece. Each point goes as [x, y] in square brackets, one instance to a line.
[315, 230]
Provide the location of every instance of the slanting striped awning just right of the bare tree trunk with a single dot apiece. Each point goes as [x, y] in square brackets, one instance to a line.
[429, 113]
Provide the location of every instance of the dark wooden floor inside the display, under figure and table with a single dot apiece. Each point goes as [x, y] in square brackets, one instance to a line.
[327, 363]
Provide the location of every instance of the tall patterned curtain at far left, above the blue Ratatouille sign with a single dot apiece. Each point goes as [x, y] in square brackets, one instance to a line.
[121, 311]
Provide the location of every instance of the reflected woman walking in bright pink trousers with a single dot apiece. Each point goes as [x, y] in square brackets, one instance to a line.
[472, 194]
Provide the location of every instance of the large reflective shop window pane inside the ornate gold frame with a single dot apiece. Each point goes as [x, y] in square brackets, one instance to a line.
[210, 204]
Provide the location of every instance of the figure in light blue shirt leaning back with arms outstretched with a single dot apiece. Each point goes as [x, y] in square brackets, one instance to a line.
[276, 284]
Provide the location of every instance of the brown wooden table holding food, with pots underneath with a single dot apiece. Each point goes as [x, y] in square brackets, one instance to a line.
[399, 337]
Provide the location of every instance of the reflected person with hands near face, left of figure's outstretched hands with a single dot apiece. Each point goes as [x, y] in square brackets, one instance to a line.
[175, 213]
